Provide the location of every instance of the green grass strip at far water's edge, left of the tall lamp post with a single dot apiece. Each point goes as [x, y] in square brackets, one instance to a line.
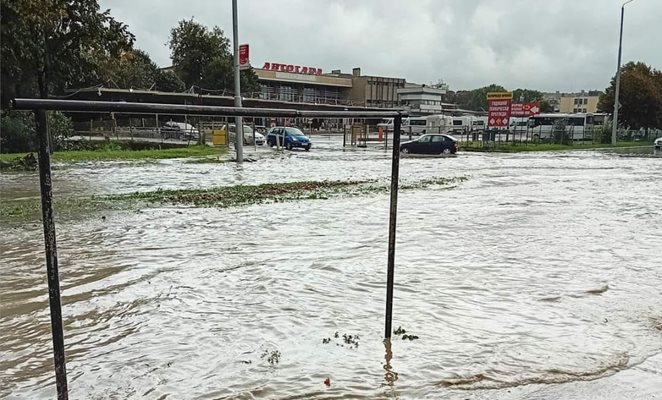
[111, 152]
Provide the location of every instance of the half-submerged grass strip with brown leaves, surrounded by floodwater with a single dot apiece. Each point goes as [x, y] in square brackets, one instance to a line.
[226, 196]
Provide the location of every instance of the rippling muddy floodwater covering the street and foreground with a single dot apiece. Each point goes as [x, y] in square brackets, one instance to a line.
[540, 277]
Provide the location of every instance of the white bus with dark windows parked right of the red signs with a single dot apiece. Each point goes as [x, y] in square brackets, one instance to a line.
[577, 126]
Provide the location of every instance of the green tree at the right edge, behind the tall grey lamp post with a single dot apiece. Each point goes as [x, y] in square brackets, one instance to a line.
[640, 96]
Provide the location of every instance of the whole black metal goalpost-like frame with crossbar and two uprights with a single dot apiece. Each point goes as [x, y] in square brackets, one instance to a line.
[40, 106]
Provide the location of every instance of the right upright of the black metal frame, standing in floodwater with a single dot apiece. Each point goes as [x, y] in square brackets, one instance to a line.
[395, 174]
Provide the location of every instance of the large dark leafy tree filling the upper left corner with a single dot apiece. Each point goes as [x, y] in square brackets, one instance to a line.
[50, 45]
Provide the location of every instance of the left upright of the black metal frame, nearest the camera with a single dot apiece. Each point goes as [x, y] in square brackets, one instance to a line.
[51, 255]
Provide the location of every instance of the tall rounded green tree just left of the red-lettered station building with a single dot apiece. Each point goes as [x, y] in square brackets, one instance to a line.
[203, 58]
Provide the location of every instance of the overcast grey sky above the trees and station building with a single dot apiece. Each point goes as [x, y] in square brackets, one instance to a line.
[550, 45]
